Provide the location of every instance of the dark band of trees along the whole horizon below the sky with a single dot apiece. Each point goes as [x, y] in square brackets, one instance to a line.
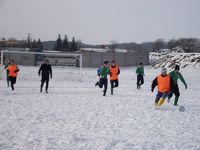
[188, 45]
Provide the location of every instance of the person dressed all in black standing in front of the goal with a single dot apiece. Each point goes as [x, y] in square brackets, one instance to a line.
[46, 71]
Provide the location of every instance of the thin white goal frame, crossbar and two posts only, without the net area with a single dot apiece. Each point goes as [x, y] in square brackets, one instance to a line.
[75, 55]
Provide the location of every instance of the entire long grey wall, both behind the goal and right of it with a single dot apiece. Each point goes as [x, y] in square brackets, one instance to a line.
[89, 58]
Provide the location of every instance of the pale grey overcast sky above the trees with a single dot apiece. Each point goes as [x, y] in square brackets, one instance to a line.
[100, 21]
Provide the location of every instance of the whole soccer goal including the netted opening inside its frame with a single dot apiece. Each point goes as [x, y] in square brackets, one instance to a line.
[71, 61]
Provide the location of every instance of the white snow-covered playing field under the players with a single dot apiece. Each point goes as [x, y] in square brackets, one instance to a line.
[75, 116]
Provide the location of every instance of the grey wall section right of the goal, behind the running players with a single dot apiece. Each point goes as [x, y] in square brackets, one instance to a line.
[123, 59]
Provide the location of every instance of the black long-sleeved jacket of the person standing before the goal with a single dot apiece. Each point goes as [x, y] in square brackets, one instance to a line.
[46, 70]
